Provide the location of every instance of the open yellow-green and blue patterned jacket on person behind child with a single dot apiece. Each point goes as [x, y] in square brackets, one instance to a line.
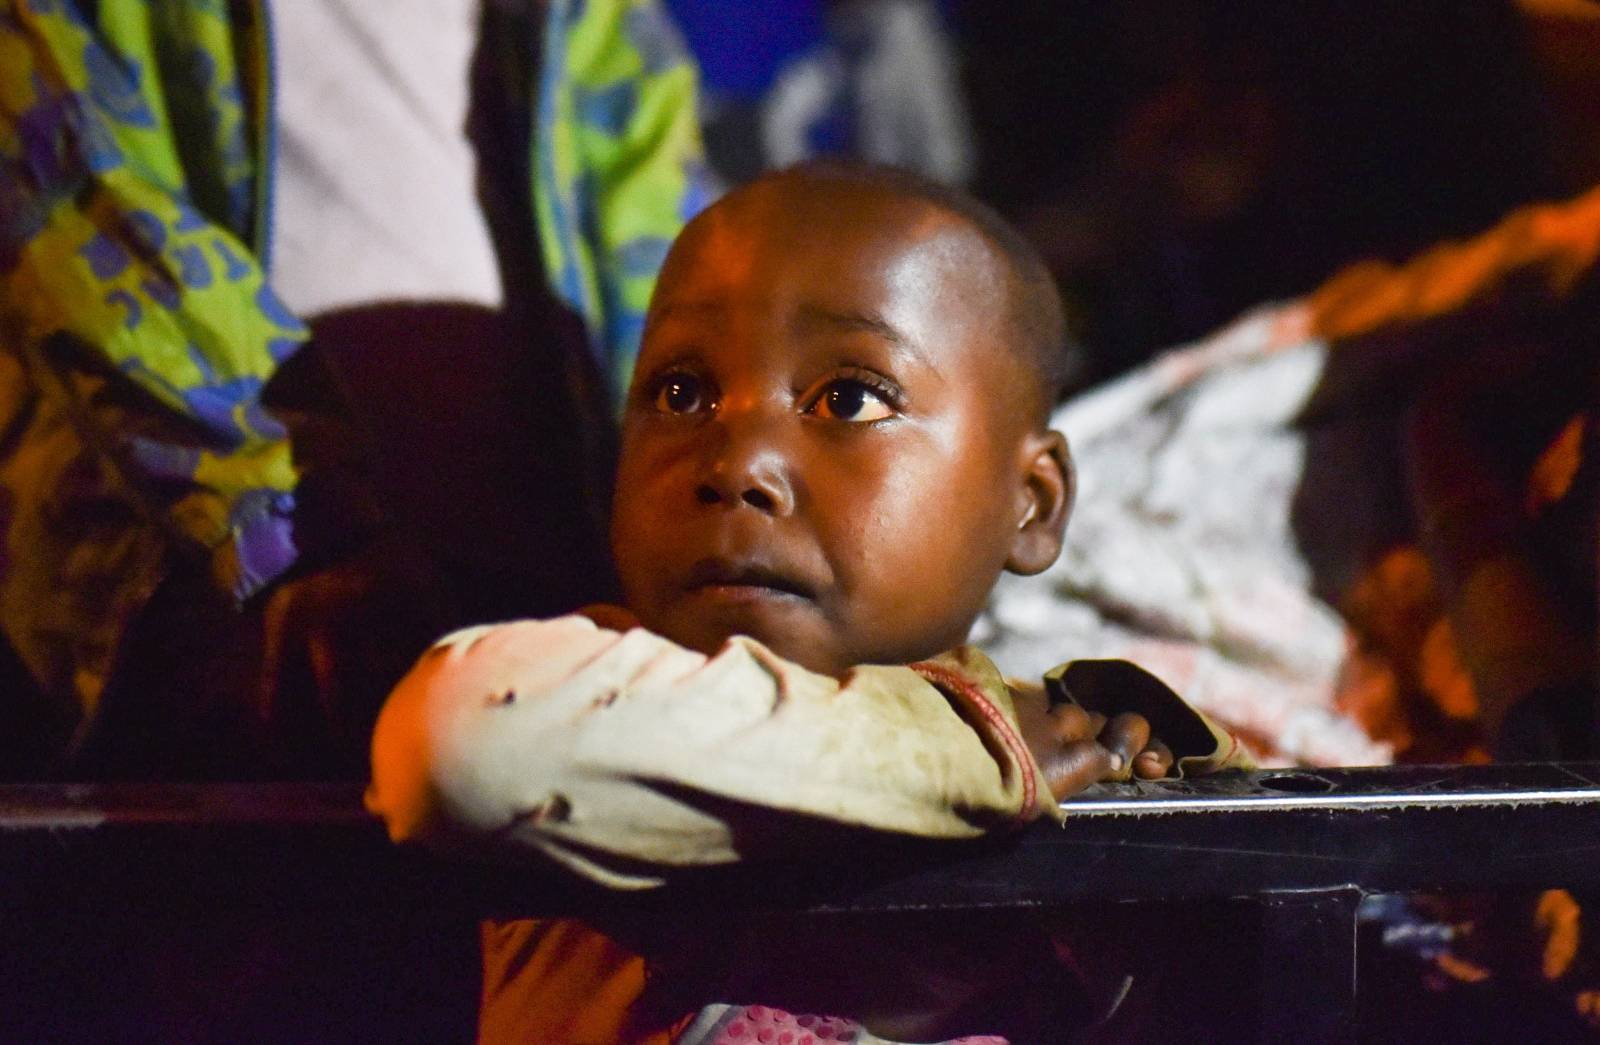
[137, 313]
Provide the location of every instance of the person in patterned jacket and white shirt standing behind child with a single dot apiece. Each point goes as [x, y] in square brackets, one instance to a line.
[290, 300]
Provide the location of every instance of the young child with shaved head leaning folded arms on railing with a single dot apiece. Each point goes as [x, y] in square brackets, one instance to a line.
[836, 441]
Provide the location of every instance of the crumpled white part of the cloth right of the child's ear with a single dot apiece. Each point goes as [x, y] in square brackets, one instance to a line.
[1182, 553]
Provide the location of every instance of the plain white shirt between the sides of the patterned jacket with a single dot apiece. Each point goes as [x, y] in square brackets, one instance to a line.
[375, 180]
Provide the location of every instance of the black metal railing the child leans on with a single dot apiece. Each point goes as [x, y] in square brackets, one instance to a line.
[1298, 847]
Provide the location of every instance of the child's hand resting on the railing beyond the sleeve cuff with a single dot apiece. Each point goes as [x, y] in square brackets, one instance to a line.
[1079, 748]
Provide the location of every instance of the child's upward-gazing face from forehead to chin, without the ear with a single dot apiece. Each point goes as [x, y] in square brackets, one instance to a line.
[826, 441]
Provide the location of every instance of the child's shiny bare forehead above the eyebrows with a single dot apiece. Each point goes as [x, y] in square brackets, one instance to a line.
[790, 246]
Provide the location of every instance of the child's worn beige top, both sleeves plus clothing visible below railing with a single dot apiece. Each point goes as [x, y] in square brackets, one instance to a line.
[625, 758]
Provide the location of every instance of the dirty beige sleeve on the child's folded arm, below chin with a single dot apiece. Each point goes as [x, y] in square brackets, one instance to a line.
[623, 756]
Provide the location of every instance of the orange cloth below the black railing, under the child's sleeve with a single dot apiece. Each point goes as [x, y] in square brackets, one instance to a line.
[558, 982]
